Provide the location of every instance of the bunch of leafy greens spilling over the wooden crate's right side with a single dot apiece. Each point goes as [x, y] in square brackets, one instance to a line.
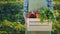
[47, 14]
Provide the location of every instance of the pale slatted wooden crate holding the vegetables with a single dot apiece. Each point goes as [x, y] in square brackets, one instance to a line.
[34, 24]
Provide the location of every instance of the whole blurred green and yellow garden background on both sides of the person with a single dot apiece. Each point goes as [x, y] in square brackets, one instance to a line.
[12, 20]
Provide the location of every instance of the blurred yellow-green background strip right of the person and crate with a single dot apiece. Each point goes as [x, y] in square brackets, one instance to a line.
[56, 6]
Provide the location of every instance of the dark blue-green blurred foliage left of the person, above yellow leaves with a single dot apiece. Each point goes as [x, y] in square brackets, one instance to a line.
[9, 11]
